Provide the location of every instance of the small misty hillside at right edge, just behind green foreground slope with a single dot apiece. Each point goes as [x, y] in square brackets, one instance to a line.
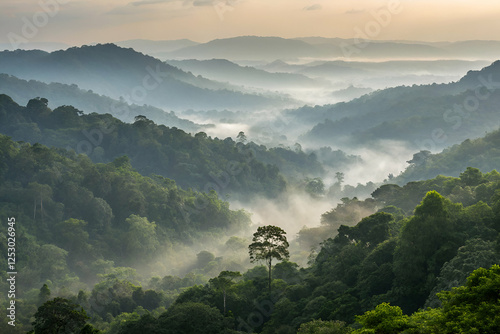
[482, 152]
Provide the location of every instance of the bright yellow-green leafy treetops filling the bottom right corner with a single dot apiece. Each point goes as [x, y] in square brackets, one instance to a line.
[471, 308]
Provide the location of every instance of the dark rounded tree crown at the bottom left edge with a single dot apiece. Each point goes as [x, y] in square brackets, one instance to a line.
[59, 316]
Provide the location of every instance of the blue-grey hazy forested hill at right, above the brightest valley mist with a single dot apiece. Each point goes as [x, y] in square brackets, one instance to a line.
[428, 116]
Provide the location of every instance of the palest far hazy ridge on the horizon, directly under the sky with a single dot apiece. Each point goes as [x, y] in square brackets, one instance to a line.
[255, 48]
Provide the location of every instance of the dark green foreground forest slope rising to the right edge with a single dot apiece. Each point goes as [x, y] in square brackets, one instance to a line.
[389, 266]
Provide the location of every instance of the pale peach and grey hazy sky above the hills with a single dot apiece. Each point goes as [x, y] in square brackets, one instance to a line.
[79, 22]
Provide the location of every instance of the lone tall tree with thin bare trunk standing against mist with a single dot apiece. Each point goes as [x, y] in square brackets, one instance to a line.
[269, 242]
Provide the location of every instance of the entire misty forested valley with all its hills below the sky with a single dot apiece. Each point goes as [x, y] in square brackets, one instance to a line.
[251, 185]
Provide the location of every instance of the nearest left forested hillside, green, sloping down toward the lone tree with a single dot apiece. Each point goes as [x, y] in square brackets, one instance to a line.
[77, 219]
